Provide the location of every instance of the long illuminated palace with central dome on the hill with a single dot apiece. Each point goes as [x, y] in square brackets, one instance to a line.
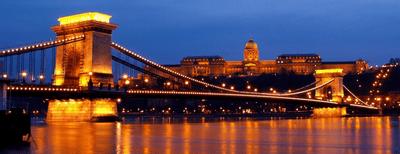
[300, 64]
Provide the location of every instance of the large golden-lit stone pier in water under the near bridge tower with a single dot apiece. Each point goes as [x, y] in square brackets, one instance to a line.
[82, 110]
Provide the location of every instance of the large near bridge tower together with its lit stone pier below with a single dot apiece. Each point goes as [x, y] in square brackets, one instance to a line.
[81, 61]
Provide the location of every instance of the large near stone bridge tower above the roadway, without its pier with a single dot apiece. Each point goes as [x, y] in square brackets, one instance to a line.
[74, 61]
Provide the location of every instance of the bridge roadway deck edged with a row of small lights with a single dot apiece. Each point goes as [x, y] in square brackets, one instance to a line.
[57, 92]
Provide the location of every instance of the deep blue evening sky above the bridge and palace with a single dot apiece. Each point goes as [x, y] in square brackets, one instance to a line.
[167, 31]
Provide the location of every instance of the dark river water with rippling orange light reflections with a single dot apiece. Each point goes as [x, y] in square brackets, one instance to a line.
[217, 135]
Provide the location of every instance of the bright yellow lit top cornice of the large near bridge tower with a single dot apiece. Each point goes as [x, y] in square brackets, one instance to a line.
[85, 17]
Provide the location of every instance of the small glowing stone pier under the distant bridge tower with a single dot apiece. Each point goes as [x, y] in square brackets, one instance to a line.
[329, 112]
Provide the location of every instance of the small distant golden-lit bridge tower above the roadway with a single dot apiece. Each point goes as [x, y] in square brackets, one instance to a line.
[332, 91]
